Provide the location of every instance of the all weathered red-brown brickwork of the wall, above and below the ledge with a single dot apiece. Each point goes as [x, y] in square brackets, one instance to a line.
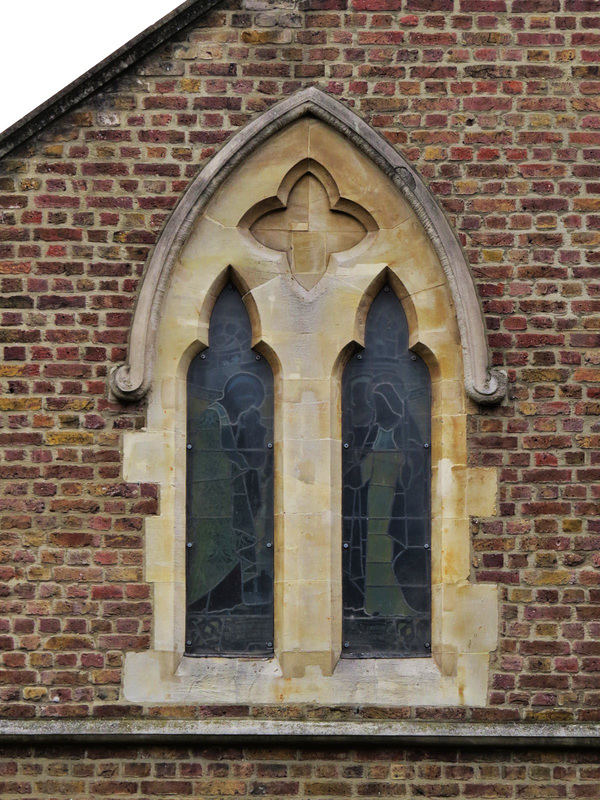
[495, 102]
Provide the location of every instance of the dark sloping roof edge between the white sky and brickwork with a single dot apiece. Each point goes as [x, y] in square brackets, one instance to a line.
[98, 76]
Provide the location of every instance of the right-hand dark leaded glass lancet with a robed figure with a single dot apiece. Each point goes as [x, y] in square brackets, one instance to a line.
[386, 430]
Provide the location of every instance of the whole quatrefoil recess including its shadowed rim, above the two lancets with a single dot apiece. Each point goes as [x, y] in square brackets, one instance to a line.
[309, 221]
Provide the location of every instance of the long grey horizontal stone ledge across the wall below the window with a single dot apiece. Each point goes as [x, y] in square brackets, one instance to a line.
[239, 731]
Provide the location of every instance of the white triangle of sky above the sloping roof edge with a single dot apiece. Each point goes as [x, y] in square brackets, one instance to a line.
[46, 44]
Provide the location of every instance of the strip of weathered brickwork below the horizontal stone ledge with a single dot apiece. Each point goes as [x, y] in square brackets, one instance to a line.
[159, 771]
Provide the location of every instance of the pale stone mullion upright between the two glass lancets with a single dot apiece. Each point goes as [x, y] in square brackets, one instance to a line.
[306, 580]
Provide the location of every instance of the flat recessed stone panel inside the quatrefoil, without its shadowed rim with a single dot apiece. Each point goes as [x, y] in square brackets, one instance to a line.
[309, 230]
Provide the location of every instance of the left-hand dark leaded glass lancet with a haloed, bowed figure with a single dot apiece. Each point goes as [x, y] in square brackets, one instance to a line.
[230, 491]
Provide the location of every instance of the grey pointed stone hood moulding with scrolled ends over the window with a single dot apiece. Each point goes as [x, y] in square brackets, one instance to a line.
[483, 383]
